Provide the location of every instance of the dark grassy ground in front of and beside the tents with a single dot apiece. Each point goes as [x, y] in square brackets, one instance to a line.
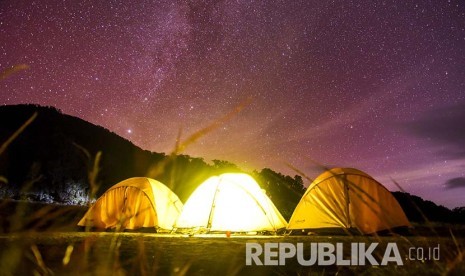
[42, 239]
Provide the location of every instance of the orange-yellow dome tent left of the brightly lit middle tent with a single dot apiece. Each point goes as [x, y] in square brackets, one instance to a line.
[134, 203]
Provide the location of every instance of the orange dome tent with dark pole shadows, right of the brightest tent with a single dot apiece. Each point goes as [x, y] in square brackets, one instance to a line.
[347, 198]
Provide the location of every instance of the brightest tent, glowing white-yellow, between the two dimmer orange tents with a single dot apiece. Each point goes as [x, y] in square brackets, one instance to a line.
[230, 202]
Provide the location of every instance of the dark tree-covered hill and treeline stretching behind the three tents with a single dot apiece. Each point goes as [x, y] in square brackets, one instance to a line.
[60, 159]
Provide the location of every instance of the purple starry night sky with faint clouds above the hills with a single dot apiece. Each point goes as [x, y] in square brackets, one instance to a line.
[375, 85]
